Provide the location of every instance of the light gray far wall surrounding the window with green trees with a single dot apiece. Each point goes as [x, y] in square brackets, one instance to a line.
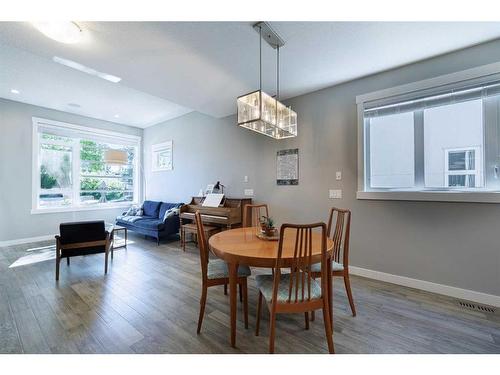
[16, 220]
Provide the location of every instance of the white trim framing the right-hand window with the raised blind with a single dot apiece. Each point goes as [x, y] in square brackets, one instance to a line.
[483, 196]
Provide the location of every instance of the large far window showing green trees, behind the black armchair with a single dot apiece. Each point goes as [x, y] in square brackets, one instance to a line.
[70, 170]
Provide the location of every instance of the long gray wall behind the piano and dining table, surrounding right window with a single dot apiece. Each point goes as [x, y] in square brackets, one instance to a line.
[448, 243]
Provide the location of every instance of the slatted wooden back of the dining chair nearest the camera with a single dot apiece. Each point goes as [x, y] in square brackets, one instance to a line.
[299, 289]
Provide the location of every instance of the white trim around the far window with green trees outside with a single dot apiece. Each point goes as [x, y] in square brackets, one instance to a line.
[35, 179]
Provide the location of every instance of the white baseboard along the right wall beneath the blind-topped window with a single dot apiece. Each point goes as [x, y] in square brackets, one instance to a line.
[451, 291]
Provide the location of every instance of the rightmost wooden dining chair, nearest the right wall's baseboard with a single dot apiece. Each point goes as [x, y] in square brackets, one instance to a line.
[340, 259]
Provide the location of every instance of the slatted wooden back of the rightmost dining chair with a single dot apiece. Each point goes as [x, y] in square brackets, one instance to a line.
[340, 222]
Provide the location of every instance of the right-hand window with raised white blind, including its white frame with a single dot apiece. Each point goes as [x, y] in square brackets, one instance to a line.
[438, 138]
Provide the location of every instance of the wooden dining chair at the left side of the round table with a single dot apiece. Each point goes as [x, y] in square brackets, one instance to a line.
[215, 272]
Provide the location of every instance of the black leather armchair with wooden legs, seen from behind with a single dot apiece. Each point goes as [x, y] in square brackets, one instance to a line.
[82, 238]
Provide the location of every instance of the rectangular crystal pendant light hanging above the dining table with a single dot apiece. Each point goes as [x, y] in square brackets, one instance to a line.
[261, 112]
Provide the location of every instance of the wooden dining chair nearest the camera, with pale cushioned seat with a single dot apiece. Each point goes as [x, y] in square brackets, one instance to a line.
[296, 291]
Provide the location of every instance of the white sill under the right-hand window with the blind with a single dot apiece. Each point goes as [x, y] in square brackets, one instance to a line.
[431, 196]
